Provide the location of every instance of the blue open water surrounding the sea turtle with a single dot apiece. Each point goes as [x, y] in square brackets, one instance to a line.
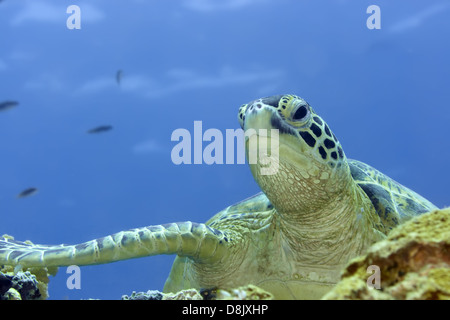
[384, 92]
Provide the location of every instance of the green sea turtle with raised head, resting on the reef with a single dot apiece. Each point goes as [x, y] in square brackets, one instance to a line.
[316, 211]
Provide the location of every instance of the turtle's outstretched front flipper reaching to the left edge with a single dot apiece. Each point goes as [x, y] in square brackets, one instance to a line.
[194, 240]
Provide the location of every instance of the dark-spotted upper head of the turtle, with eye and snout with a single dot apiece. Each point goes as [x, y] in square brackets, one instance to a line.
[297, 117]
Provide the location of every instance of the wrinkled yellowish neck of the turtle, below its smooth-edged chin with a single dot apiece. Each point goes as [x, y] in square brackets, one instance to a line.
[332, 235]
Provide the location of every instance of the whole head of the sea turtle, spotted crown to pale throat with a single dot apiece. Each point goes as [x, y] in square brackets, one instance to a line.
[311, 165]
